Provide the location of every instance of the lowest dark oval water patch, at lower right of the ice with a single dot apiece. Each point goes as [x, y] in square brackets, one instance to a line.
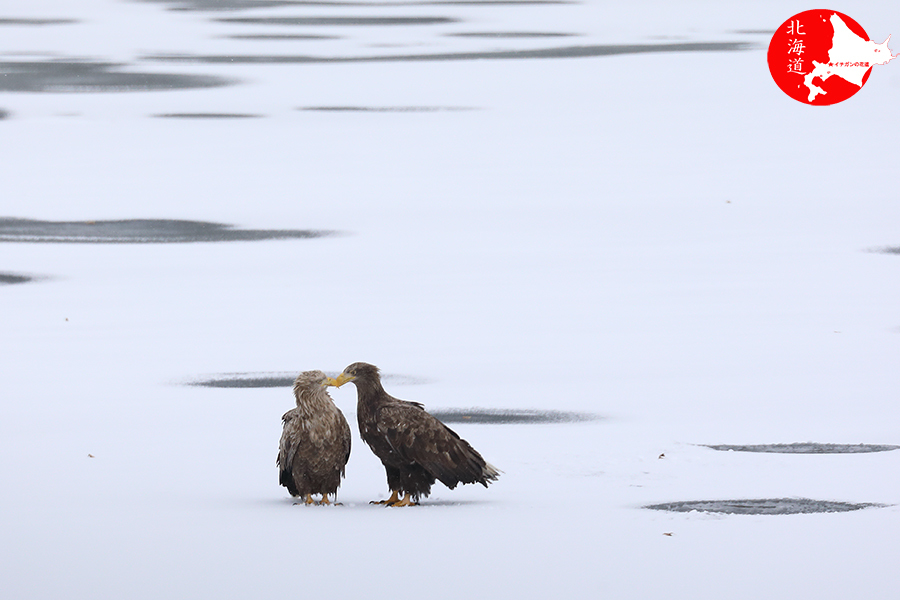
[768, 506]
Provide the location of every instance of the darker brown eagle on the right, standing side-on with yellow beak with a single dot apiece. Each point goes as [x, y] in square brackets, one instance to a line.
[414, 447]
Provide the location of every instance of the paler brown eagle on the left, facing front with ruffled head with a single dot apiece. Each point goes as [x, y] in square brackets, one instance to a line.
[315, 444]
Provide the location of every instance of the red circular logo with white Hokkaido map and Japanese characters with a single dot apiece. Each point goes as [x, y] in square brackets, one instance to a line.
[823, 57]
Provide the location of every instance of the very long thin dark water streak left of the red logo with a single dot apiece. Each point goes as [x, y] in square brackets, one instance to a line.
[565, 52]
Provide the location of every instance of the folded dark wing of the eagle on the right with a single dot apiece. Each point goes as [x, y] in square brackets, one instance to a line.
[418, 437]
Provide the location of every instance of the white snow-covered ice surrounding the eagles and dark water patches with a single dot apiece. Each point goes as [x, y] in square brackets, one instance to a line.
[665, 240]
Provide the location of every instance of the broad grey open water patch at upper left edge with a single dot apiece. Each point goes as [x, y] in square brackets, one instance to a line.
[58, 76]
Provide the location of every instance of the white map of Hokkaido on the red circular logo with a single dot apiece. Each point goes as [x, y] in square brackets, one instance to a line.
[847, 48]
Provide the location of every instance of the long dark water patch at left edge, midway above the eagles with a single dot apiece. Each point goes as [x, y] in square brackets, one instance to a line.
[139, 231]
